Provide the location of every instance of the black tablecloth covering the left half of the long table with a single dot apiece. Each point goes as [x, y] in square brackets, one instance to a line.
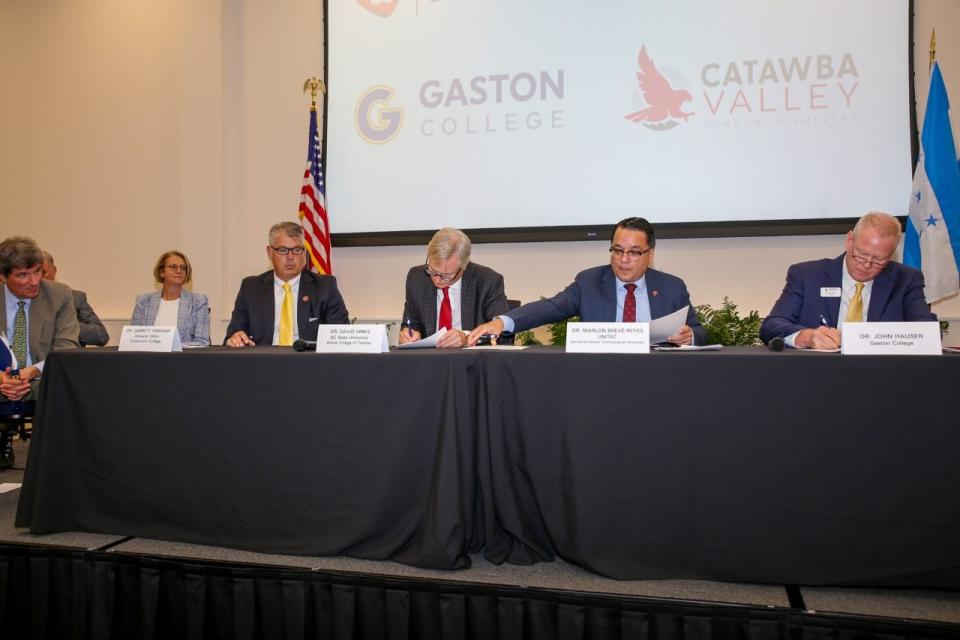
[264, 449]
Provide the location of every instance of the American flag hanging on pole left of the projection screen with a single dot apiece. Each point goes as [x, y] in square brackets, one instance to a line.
[313, 207]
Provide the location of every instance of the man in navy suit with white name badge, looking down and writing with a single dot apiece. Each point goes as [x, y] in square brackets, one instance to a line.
[863, 284]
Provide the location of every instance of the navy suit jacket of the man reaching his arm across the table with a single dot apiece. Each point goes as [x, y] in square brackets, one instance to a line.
[593, 296]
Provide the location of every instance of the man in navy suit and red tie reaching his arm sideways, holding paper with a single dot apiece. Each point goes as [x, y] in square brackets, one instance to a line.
[626, 290]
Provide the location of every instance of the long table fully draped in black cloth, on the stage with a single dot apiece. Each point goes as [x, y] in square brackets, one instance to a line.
[739, 465]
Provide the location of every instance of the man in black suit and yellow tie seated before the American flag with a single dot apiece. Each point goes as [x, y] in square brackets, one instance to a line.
[287, 303]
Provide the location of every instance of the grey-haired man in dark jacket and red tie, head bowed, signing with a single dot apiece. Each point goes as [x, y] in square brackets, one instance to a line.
[449, 291]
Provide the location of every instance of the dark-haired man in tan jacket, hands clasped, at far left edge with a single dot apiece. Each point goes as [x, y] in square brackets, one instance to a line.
[36, 316]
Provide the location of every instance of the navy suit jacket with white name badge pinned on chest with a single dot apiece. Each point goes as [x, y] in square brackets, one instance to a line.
[897, 294]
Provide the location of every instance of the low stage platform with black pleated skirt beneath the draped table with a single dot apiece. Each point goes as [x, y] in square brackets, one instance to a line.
[96, 586]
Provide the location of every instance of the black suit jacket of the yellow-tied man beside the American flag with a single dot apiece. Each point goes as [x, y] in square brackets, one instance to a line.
[319, 302]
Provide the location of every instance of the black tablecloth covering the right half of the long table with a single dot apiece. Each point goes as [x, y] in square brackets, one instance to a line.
[744, 465]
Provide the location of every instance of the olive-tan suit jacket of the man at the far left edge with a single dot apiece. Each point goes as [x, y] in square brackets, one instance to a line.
[52, 319]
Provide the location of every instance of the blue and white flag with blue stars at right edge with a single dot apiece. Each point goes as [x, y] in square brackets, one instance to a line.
[933, 231]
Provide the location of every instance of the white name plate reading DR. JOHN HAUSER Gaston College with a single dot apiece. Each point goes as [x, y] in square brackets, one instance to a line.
[890, 338]
